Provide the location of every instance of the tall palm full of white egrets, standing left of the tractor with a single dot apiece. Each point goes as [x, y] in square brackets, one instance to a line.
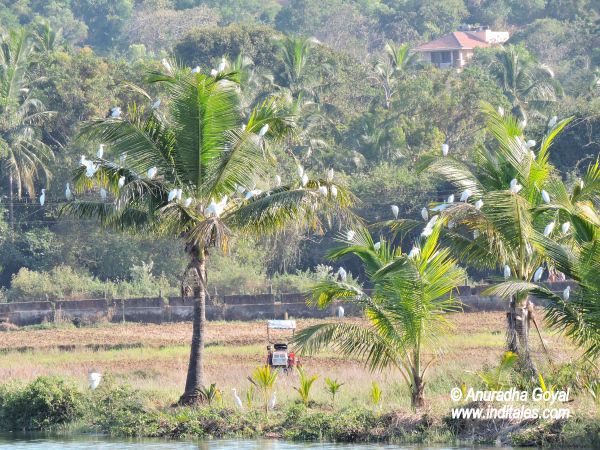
[192, 172]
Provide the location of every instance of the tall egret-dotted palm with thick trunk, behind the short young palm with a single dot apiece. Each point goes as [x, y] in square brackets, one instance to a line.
[501, 223]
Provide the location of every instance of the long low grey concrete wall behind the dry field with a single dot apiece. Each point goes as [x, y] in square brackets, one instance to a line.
[235, 307]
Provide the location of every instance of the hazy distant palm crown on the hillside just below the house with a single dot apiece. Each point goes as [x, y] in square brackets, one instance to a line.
[528, 85]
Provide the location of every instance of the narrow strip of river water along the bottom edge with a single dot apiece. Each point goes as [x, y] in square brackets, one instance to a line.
[14, 442]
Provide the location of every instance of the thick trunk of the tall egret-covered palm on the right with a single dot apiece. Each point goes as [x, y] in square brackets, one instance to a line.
[518, 326]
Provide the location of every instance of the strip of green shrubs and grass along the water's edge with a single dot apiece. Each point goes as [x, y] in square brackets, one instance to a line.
[56, 405]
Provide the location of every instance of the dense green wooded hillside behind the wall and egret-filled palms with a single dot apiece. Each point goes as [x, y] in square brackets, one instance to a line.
[371, 123]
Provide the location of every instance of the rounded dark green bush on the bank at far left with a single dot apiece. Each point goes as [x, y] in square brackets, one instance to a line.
[45, 402]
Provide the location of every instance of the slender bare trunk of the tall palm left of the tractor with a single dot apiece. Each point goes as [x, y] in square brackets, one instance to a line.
[195, 375]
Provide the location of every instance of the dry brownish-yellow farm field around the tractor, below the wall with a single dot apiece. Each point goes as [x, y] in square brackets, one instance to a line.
[154, 358]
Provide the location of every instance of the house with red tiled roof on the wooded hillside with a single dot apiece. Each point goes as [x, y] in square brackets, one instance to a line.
[455, 49]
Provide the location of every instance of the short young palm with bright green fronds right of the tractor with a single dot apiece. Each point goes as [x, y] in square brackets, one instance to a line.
[406, 311]
